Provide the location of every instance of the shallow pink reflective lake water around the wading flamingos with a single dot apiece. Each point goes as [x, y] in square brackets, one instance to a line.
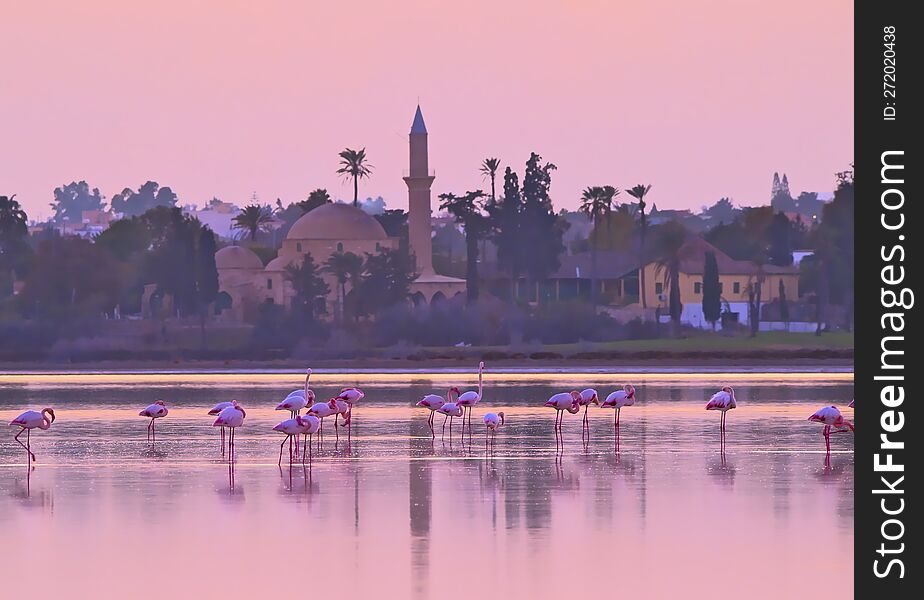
[392, 511]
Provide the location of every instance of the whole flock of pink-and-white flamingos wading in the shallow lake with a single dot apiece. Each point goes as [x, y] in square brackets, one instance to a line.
[456, 404]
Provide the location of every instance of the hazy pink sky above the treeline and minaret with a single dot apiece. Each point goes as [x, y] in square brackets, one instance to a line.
[228, 98]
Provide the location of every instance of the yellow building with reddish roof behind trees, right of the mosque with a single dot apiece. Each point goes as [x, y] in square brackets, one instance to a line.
[736, 277]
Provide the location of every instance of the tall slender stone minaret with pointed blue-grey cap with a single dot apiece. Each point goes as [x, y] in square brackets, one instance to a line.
[418, 183]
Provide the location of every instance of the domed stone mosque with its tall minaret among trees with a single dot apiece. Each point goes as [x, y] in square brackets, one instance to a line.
[245, 283]
